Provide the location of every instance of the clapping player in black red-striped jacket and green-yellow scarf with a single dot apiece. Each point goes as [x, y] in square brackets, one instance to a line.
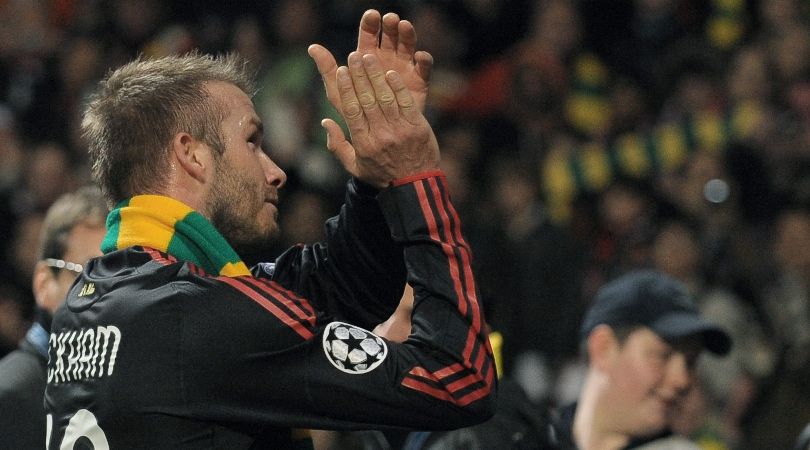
[168, 341]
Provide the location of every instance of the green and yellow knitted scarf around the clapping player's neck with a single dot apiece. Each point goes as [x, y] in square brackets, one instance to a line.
[170, 226]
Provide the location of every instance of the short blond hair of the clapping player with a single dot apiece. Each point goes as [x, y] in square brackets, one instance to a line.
[138, 108]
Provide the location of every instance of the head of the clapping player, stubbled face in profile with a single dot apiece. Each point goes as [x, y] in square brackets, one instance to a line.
[185, 126]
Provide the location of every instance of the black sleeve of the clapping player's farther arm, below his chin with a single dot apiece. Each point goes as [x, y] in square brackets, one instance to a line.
[358, 273]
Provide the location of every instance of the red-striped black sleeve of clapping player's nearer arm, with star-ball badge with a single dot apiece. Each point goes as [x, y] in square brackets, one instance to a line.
[287, 365]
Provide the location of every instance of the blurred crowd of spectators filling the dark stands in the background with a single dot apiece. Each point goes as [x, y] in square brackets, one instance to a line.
[581, 138]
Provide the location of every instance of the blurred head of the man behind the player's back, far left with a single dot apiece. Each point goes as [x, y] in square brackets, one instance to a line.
[71, 234]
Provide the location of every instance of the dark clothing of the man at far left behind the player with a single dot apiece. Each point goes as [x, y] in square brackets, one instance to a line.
[22, 387]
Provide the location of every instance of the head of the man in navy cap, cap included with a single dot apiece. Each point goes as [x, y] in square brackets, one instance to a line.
[643, 334]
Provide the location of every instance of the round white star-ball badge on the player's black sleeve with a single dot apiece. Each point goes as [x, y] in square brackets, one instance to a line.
[352, 349]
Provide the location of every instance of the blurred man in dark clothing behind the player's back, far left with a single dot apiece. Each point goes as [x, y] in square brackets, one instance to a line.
[71, 234]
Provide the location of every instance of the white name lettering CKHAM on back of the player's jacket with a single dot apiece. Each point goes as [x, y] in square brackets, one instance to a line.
[77, 355]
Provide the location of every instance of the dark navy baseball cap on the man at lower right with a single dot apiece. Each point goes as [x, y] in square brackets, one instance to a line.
[657, 301]
